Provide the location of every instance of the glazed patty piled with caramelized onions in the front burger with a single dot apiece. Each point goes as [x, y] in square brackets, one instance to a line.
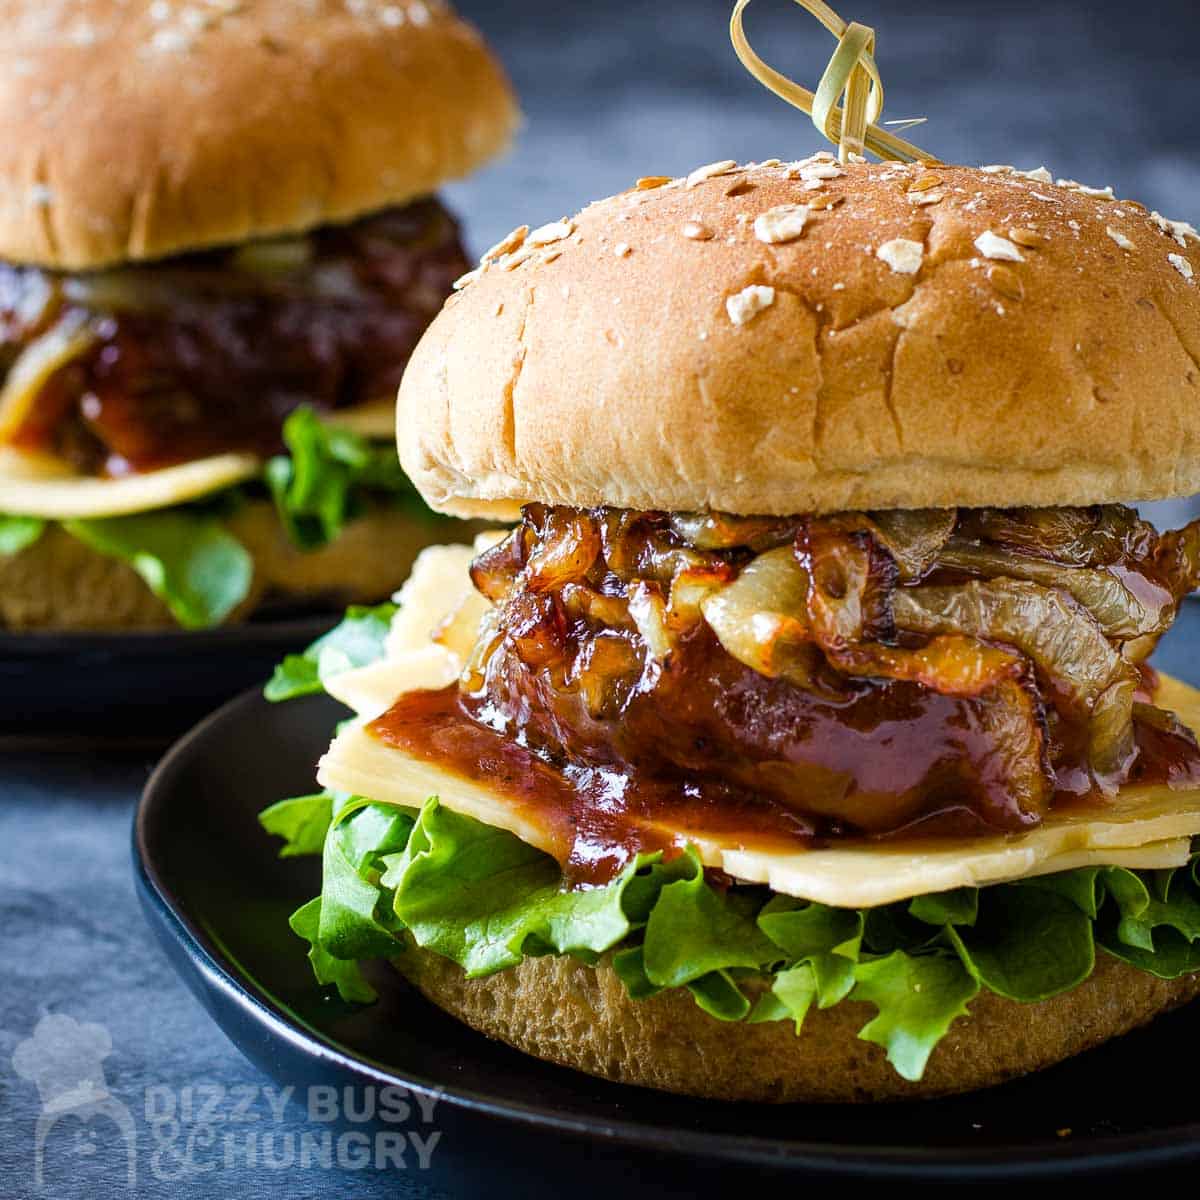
[861, 674]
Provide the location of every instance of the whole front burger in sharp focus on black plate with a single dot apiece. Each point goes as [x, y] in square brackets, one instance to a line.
[800, 742]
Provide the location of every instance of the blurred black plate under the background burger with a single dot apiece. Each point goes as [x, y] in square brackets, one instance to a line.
[152, 687]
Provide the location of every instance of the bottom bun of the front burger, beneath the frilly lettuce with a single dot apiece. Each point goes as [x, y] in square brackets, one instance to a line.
[581, 1017]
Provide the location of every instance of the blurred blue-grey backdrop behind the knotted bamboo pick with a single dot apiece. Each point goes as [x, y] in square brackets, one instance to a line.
[1106, 92]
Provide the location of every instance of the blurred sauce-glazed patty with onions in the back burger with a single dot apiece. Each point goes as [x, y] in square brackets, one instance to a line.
[209, 352]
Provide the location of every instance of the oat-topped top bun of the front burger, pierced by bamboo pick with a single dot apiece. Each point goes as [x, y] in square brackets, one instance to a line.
[920, 337]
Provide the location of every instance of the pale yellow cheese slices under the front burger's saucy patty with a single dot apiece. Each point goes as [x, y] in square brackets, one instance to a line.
[1144, 827]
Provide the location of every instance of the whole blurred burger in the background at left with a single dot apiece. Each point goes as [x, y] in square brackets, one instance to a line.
[219, 245]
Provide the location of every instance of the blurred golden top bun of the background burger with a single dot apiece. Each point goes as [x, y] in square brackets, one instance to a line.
[134, 131]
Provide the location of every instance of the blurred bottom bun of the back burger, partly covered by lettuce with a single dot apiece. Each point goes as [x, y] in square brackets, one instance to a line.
[62, 585]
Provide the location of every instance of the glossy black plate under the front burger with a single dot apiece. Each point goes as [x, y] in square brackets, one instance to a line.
[219, 901]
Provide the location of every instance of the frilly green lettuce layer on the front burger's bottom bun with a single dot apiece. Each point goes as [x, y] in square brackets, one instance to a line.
[485, 901]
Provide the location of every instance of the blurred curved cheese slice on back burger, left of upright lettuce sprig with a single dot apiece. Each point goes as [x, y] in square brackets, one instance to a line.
[39, 487]
